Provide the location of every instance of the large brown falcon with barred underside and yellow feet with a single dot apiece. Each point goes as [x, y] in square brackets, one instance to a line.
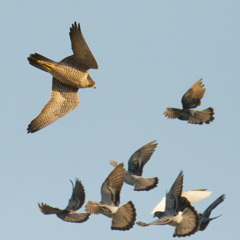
[69, 75]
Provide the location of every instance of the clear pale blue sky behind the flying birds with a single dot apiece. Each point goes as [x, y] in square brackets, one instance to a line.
[149, 54]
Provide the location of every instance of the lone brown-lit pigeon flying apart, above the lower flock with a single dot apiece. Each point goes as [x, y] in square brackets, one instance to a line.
[192, 99]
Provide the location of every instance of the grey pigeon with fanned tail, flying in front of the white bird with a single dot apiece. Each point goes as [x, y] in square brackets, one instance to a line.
[178, 212]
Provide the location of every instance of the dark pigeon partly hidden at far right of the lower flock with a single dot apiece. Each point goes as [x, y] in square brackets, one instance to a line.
[204, 218]
